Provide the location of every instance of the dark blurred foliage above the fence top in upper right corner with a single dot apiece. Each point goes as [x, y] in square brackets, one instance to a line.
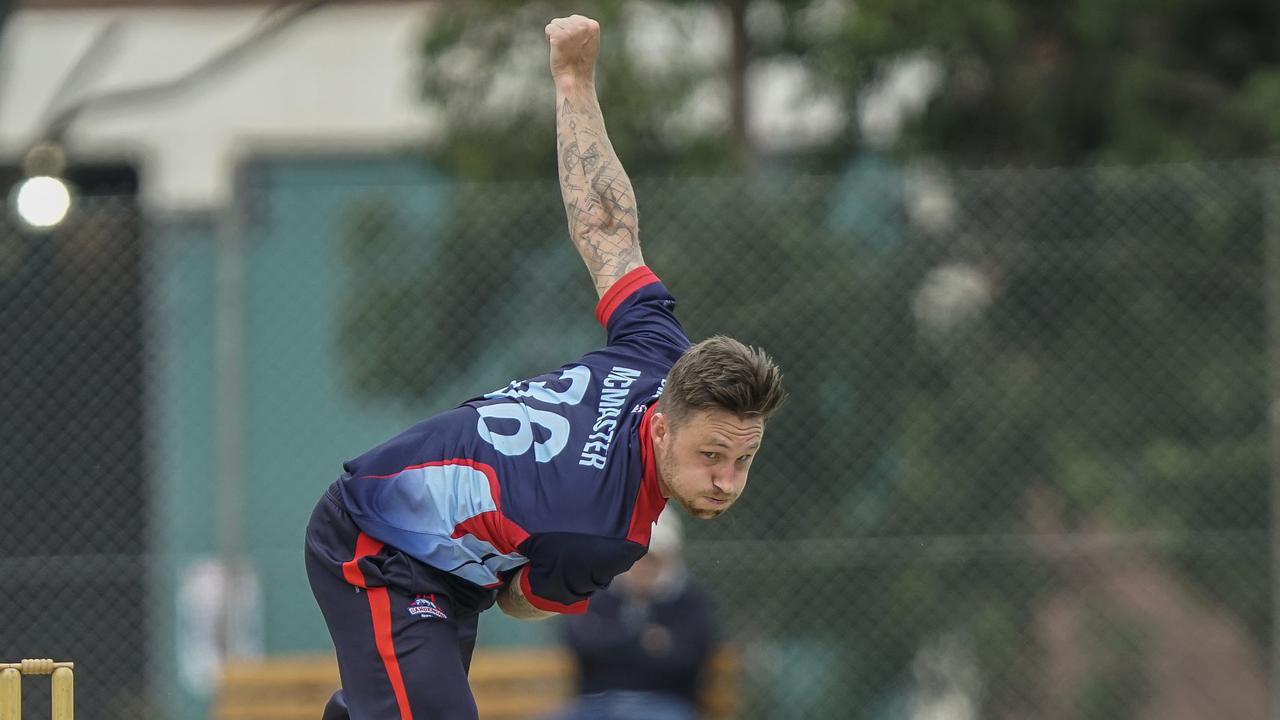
[1099, 81]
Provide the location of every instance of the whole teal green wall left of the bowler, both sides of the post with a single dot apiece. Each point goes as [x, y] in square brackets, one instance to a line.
[301, 422]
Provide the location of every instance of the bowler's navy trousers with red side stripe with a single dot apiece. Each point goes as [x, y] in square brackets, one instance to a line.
[403, 630]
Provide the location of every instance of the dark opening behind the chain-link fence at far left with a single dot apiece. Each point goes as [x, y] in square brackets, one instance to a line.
[74, 511]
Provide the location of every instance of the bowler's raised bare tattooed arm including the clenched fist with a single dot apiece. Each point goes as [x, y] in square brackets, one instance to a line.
[598, 197]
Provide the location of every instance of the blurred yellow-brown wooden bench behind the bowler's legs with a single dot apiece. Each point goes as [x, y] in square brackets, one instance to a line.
[509, 685]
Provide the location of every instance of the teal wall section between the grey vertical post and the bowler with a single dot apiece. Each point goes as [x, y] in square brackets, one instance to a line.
[300, 421]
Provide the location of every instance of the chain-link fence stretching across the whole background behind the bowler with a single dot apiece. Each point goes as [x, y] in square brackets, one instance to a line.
[1025, 471]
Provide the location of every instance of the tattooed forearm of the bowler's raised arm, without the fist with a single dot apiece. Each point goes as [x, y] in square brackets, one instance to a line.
[598, 197]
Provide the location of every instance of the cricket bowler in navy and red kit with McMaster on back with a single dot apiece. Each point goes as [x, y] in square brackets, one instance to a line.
[537, 495]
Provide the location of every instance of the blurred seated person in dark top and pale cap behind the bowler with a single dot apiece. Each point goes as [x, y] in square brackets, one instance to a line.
[643, 646]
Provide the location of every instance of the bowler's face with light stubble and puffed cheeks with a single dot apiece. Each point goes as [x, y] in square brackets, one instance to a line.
[703, 463]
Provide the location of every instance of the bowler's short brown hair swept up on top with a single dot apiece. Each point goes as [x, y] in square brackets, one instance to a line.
[721, 373]
